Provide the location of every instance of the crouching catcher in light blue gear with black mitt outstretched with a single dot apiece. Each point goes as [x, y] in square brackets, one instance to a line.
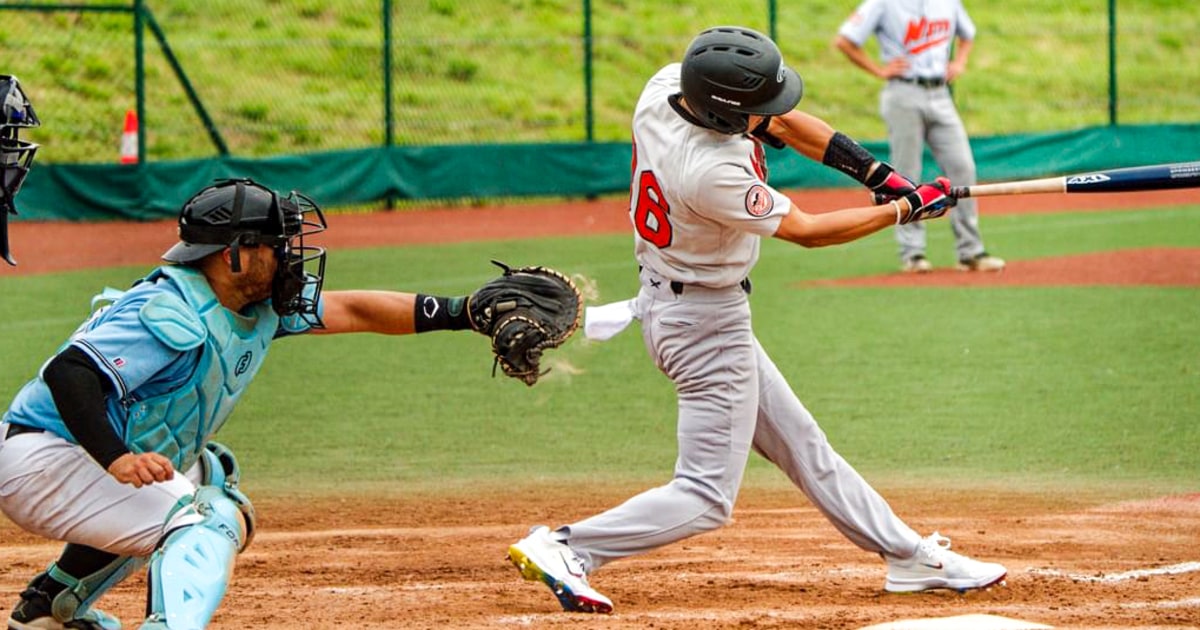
[110, 448]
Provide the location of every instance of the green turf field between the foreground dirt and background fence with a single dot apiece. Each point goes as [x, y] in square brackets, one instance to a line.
[1082, 387]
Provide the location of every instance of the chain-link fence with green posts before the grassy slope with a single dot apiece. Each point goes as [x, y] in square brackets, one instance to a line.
[271, 77]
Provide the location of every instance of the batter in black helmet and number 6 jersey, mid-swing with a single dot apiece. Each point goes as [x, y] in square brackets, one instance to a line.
[700, 206]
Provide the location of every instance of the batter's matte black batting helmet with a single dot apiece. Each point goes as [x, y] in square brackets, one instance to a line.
[730, 73]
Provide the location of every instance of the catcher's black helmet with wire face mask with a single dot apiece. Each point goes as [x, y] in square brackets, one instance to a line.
[238, 213]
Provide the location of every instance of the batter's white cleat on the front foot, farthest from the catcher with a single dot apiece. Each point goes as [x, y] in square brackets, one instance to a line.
[935, 566]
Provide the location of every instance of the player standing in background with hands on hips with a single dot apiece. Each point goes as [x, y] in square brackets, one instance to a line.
[915, 43]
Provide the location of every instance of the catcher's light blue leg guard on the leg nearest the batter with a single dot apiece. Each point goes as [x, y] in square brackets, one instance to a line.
[190, 572]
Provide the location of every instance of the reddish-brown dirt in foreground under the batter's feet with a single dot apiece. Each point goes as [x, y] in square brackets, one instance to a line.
[437, 562]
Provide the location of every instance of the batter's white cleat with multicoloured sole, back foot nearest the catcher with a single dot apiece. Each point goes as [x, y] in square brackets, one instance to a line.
[542, 559]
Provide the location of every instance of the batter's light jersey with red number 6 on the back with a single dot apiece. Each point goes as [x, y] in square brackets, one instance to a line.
[700, 201]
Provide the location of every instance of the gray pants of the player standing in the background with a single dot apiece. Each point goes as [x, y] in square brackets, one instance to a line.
[917, 116]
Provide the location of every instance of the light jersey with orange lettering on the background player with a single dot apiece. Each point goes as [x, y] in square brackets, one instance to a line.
[921, 31]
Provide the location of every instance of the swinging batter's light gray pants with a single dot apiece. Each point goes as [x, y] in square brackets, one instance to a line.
[731, 399]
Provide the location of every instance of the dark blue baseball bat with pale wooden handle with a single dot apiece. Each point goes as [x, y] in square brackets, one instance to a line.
[1149, 178]
